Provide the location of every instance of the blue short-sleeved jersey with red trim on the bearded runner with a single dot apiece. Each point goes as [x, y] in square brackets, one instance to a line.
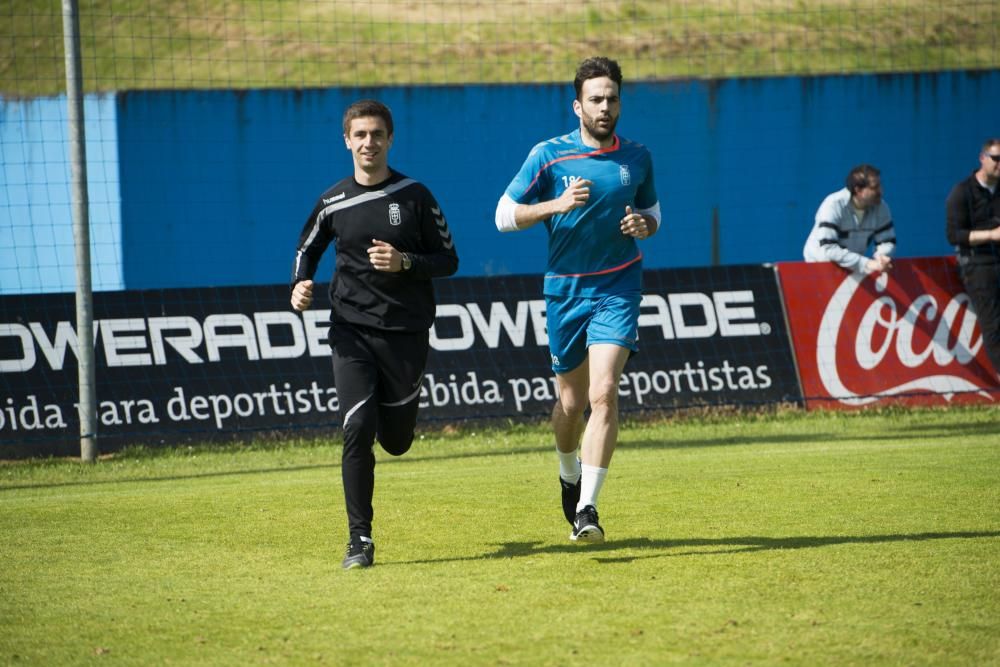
[588, 253]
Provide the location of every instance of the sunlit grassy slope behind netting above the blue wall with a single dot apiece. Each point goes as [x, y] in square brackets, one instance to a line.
[144, 44]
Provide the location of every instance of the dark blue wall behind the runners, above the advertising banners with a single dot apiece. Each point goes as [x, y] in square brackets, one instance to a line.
[215, 185]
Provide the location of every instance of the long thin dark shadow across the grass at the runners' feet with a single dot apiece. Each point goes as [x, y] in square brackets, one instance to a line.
[641, 548]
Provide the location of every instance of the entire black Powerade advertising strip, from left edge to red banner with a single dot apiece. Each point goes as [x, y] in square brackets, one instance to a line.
[211, 363]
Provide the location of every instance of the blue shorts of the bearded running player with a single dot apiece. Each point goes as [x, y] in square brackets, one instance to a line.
[575, 323]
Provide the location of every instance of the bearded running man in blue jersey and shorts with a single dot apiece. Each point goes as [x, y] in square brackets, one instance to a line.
[594, 191]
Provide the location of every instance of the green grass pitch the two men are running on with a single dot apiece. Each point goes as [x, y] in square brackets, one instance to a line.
[792, 538]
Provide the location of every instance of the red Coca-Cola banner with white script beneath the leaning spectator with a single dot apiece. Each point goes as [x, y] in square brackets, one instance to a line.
[907, 336]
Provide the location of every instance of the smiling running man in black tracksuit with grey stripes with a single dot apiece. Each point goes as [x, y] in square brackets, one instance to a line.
[391, 239]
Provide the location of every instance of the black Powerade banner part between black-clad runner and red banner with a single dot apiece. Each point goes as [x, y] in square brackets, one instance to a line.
[707, 336]
